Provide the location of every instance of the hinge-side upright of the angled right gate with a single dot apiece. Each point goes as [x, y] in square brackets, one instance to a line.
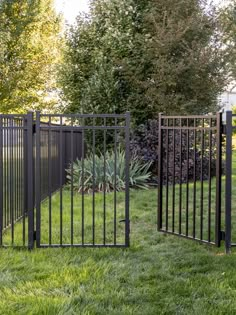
[218, 180]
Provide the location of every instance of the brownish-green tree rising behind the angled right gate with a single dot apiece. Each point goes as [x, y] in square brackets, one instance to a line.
[188, 59]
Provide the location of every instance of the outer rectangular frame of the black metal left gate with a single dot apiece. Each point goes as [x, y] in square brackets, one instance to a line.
[37, 233]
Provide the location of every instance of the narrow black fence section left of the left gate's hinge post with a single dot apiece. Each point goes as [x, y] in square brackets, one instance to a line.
[13, 181]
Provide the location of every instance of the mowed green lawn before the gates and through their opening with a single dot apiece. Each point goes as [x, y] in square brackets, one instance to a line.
[158, 274]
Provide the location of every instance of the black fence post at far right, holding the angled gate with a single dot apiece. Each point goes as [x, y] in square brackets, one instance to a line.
[228, 182]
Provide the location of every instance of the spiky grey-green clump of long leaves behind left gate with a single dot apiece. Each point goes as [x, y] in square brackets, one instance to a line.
[138, 176]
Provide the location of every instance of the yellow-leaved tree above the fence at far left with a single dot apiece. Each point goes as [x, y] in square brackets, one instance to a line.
[29, 42]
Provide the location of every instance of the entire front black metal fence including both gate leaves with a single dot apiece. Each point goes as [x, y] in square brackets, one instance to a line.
[54, 184]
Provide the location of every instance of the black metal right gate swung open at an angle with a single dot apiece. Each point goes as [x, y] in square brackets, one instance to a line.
[190, 167]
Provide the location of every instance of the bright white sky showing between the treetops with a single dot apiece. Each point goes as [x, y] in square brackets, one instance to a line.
[71, 8]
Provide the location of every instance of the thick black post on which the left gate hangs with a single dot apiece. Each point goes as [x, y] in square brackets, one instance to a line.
[30, 182]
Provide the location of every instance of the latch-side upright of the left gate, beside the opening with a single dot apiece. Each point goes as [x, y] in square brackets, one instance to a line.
[127, 156]
